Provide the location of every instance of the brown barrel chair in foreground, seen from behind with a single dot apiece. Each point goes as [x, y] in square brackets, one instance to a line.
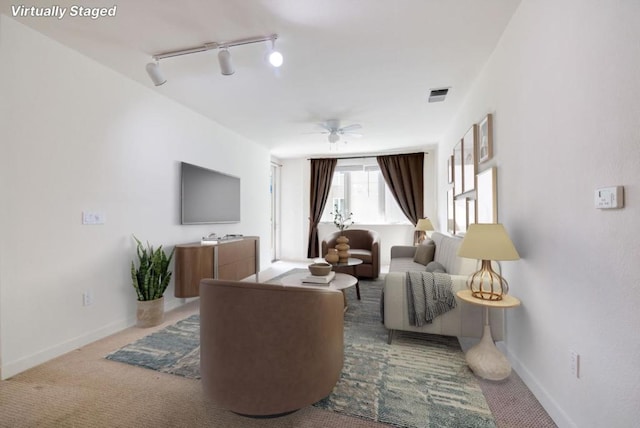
[268, 349]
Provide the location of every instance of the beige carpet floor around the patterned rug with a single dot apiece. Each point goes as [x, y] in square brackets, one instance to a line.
[83, 389]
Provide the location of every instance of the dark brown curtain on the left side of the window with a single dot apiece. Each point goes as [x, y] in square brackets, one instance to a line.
[321, 177]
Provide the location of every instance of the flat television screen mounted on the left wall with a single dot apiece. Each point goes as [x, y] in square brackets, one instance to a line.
[209, 196]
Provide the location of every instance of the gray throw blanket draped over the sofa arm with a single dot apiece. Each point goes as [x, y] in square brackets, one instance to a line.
[429, 295]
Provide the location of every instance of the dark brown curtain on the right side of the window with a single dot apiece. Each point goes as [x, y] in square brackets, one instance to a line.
[404, 177]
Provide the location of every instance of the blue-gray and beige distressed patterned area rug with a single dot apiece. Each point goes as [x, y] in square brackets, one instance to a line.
[418, 381]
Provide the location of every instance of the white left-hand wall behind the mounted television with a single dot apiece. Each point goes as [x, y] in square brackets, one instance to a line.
[80, 137]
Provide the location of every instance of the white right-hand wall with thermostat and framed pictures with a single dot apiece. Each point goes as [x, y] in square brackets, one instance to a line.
[563, 87]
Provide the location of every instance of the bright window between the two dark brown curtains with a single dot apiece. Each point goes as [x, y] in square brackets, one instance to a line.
[358, 187]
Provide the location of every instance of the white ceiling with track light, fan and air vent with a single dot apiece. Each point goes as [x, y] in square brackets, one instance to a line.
[371, 62]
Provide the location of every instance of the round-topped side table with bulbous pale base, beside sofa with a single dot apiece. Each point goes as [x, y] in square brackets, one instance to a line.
[485, 359]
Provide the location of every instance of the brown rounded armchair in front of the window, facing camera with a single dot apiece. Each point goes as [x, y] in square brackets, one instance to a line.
[365, 245]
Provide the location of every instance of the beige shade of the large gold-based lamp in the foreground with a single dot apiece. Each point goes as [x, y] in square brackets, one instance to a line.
[487, 242]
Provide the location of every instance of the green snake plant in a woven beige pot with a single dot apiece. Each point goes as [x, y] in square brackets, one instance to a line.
[150, 279]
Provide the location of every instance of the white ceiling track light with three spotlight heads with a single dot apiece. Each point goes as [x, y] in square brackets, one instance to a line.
[224, 56]
